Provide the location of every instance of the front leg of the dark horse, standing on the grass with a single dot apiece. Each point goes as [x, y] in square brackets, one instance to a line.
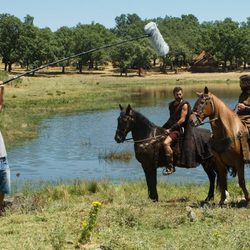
[151, 179]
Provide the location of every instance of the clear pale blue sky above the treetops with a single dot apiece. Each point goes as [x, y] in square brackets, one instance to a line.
[57, 13]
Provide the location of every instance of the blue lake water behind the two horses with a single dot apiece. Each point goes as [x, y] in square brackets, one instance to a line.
[68, 147]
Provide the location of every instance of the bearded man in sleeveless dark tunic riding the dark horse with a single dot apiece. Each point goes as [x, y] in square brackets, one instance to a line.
[179, 110]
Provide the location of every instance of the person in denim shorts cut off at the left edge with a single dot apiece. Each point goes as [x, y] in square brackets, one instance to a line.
[4, 167]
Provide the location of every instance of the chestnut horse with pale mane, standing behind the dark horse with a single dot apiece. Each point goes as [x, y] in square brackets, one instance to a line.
[226, 127]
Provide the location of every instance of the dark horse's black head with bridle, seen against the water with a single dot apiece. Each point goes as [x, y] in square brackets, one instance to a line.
[124, 123]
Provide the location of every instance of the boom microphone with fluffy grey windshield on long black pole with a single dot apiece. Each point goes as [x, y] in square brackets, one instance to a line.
[151, 30]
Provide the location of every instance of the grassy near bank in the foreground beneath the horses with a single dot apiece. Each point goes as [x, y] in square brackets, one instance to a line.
[51, 218]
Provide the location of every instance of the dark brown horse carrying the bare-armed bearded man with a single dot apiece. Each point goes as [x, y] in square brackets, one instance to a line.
[148, 145]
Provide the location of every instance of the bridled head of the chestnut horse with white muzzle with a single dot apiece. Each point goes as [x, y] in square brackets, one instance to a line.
[203, 108]
